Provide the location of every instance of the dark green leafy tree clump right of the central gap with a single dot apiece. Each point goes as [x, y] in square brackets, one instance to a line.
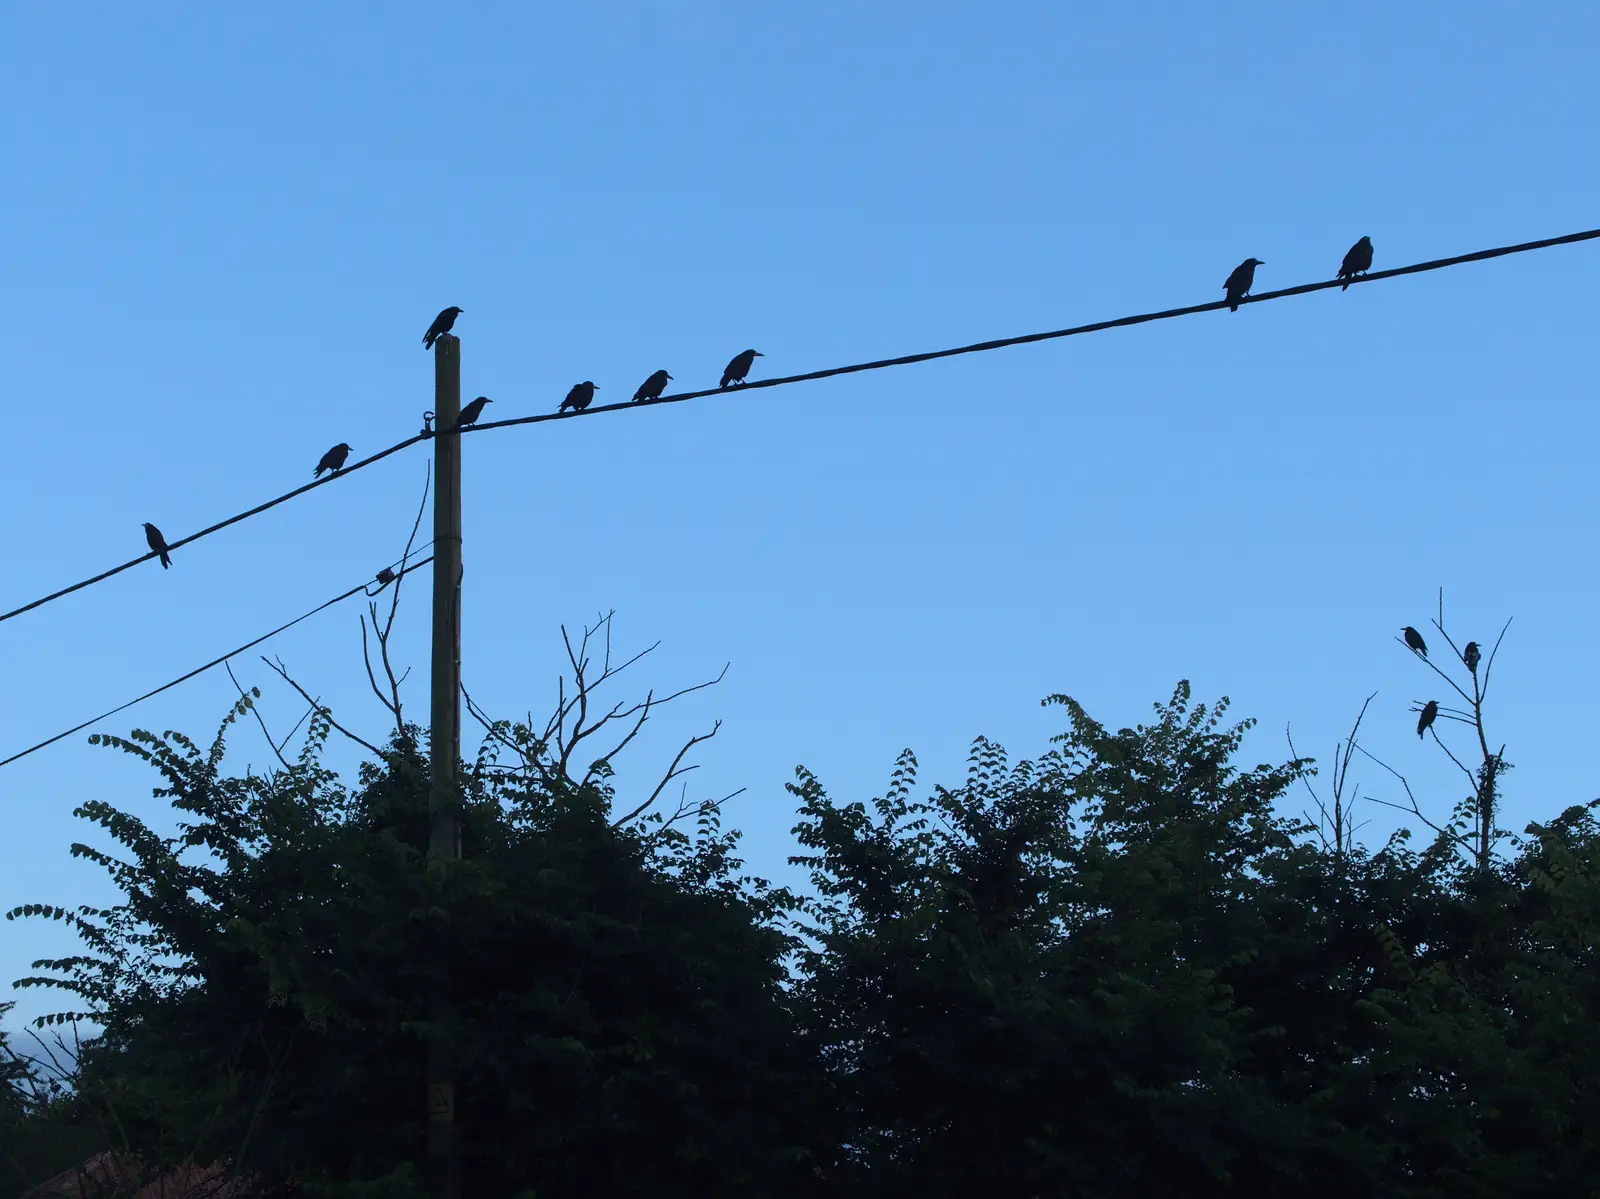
[1118, 971]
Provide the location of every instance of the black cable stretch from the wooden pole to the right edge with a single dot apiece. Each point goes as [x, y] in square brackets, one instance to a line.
[1028, 339]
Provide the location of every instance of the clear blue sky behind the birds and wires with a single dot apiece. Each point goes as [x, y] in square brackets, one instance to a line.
[226, 228]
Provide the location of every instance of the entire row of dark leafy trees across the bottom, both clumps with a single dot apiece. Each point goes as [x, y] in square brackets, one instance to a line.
[1114, 971]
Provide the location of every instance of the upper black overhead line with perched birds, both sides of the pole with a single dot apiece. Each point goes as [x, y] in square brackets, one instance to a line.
[831, 372]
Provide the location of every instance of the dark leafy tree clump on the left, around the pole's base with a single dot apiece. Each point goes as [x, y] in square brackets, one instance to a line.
[265, 985]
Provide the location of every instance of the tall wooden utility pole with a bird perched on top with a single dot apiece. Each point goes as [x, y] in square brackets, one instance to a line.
[444, 843]
